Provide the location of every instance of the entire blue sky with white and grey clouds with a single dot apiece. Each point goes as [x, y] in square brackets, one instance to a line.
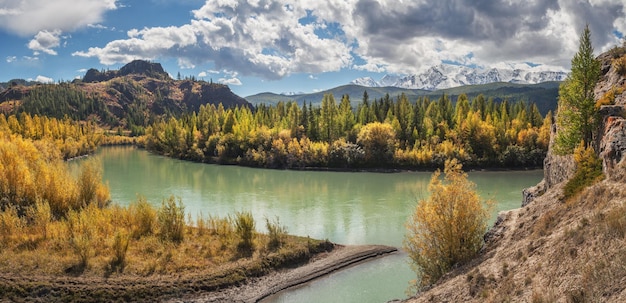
[293, 46]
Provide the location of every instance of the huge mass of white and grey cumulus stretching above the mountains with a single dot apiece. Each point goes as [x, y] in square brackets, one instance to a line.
[273, 39]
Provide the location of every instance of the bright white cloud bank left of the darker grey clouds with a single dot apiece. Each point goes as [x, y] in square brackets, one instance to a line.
[263, 39]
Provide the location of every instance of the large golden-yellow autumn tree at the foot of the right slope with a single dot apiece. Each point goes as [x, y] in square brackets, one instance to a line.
[447, 228]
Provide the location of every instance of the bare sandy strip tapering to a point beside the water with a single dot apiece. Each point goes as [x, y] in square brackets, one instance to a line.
[262, 287]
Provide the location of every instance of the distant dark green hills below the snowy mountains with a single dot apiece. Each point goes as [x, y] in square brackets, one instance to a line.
[543, 94]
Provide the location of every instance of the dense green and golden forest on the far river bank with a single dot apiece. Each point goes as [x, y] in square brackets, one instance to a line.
[385, 133]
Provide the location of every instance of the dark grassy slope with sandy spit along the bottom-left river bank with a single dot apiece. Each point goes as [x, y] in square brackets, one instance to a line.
[242, 281]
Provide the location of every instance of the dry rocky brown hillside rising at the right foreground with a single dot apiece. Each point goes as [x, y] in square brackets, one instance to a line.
[554, 249]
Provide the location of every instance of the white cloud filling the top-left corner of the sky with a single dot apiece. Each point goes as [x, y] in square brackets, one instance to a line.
[28, 17]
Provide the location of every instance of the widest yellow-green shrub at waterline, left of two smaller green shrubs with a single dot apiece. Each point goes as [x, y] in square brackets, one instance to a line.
[171, 220]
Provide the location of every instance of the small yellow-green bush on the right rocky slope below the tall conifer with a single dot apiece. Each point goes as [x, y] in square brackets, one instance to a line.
[588, 170]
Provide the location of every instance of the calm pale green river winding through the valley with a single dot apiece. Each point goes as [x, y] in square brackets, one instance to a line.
[344, 207]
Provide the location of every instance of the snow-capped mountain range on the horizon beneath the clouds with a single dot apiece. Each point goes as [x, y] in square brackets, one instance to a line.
[446, 76]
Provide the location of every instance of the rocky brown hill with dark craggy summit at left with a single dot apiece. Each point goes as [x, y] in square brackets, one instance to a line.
[134, 95]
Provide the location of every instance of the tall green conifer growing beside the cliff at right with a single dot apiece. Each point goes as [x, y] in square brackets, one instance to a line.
[576, 117]
